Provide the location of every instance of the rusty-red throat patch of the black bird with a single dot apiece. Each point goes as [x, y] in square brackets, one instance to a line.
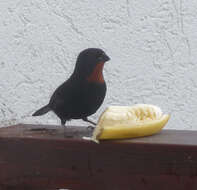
[97, 74]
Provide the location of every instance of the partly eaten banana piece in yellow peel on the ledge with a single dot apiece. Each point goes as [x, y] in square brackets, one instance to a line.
[120, 122]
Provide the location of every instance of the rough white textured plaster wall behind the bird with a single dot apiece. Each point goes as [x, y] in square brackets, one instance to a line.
[153, 46]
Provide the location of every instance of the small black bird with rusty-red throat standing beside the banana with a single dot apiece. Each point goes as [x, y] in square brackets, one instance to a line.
[83, 93]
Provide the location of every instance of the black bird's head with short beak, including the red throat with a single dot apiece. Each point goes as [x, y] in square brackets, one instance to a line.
[90, 63]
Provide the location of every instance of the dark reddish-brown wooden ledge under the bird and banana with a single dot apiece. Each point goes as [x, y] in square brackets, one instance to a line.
[49, 157]
